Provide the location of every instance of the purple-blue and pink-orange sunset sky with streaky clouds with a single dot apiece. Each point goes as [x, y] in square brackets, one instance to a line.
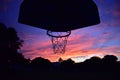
[98, 40]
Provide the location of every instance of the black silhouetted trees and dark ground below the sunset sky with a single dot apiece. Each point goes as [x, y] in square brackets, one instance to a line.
[13, 63]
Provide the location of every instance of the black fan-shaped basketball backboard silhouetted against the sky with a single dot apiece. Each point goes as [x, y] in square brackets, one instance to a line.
[59, 15]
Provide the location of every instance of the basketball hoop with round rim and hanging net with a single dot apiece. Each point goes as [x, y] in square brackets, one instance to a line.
[59, 40]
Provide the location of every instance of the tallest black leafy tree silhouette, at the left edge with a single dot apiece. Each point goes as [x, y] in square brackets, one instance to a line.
[9, 45]
